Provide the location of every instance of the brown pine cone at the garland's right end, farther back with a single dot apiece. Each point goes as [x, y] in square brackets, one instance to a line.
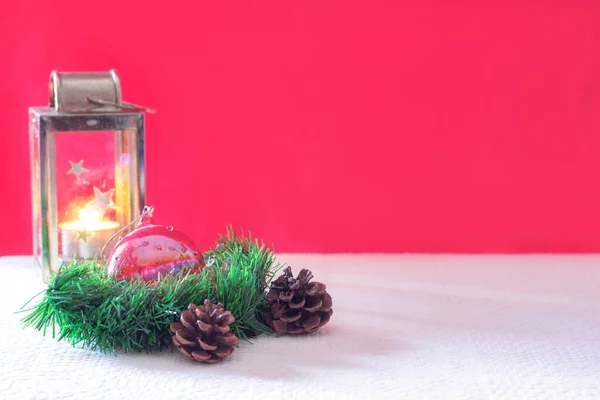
[296, 304]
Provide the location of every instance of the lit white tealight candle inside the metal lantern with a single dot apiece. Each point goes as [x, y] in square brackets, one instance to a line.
[85, 237]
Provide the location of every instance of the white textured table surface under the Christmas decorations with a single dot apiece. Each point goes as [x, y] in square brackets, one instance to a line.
[404, 326]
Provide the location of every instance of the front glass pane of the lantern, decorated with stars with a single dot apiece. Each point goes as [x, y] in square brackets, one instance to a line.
[84, 178]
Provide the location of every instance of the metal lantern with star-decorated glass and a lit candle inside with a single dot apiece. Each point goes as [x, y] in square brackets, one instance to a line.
[87, 167]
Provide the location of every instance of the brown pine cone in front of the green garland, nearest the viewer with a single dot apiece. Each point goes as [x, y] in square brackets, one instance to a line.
[203, 333]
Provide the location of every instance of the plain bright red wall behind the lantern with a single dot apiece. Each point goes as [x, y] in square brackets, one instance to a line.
[335, 126]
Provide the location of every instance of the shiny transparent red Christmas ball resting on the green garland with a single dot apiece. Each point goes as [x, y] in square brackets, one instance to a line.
[152, 250]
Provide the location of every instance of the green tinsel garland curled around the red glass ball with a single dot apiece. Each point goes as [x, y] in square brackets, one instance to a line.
[84, 306]
